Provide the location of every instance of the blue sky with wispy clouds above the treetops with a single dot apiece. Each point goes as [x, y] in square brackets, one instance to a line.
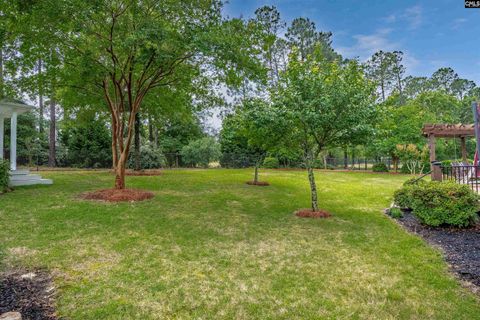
[432, 34]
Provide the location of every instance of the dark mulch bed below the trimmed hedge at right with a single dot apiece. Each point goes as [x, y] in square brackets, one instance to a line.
[461, 246]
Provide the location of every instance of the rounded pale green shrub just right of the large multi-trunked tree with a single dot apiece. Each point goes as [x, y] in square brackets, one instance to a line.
[201, 152]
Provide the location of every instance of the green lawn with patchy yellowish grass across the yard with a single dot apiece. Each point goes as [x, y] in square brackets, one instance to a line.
[208, 246]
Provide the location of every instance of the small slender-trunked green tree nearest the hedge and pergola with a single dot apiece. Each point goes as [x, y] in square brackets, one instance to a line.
[320, 104]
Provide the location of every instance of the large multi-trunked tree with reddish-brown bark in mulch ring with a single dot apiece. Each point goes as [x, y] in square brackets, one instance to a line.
[123, 50]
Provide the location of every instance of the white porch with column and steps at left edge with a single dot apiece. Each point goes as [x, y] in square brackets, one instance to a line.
[11, 109]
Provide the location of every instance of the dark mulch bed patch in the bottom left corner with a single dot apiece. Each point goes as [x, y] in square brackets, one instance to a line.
[30, 293]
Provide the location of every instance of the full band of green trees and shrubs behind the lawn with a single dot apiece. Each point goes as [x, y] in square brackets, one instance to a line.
[120, 83]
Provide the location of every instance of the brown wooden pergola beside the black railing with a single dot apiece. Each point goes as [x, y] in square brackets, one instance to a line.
[451, 131]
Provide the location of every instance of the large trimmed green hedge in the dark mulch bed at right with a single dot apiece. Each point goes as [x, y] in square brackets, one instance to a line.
[439, 203]
